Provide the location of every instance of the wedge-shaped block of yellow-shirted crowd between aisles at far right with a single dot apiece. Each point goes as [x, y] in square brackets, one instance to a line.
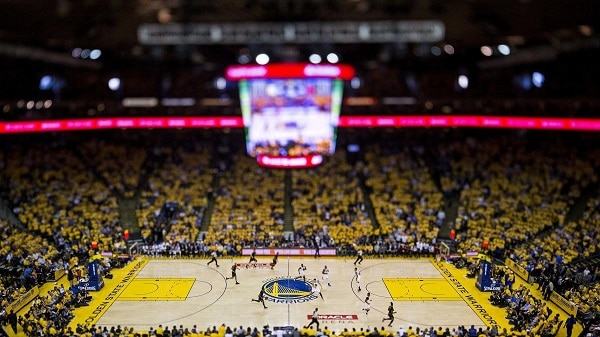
[509, 190]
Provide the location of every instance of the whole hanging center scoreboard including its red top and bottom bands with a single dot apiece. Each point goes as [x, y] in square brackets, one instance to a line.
[290, 111]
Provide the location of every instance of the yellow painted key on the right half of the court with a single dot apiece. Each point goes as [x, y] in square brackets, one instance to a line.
[420, 289]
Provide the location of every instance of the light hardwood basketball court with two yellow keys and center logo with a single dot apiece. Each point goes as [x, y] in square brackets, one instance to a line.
[187, 292]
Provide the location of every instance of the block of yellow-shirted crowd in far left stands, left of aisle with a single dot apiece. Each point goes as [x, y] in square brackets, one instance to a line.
[54, 193]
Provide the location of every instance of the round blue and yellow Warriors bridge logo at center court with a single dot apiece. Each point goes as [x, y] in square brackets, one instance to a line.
[288, 290]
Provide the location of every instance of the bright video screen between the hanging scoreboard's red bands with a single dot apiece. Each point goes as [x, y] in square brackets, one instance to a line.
[290, 117]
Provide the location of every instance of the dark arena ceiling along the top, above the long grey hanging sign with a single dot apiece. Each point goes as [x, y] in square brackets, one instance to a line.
[112, 25]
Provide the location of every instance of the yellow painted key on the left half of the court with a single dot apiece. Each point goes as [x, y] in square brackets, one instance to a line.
[158, 289]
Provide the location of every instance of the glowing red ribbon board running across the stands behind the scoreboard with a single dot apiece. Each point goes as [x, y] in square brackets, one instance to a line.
[183, 122]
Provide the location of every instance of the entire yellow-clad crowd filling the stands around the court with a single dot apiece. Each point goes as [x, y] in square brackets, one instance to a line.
[508, 193]
